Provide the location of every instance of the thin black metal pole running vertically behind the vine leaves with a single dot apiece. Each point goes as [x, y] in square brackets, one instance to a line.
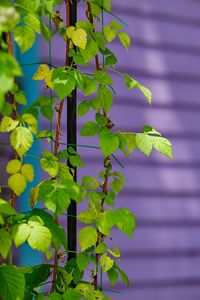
[71, 139]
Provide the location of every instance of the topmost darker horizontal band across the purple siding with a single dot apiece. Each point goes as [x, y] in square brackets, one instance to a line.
[157, 16]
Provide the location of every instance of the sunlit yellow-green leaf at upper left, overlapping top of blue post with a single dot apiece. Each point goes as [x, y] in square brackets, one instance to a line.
[24, 36]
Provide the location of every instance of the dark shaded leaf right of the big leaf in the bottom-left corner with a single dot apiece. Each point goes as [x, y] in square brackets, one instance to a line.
[36, 275]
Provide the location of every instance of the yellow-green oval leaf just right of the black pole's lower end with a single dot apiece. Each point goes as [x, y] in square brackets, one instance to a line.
[87, 237]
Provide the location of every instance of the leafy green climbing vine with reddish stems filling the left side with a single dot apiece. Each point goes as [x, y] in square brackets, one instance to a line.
[87, 40]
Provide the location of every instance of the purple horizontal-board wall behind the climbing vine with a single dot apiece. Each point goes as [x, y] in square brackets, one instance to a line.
[163, 258]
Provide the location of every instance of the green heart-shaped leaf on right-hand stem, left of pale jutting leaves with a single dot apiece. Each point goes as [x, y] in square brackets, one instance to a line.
[109, 142]
